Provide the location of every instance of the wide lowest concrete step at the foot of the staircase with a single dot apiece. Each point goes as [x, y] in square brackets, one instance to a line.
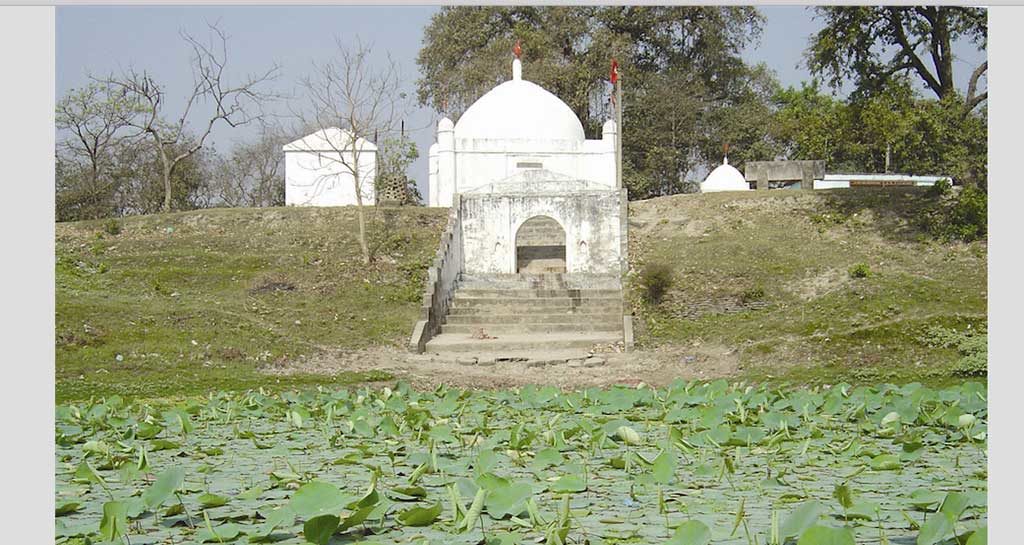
[519, 344]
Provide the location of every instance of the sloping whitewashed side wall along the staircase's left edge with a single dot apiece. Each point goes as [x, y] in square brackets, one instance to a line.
[442, 279]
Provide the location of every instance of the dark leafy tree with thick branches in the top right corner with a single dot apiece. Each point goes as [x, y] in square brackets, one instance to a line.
[871, 46]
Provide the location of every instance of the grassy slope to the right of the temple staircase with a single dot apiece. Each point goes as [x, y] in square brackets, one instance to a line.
[770, 276]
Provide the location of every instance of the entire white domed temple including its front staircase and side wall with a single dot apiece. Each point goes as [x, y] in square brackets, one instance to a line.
[535, 249]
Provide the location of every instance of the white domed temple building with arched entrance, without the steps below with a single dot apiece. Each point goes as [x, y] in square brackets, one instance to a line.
[532, 193]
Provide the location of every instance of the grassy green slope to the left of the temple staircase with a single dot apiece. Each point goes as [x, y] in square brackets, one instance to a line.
[202, 301]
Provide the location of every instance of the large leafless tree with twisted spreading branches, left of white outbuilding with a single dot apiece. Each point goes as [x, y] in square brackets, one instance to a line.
[234, 105]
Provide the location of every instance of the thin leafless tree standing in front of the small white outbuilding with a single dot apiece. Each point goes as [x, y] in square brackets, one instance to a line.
[354, 101]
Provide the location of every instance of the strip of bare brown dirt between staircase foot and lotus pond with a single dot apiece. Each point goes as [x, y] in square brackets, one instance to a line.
[657, 368]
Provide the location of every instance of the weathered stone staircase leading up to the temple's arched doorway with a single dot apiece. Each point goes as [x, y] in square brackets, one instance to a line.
[520, 315]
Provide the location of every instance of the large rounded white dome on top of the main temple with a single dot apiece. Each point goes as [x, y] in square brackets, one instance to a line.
[520, 110]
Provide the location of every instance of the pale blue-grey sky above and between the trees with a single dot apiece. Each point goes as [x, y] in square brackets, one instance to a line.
[101, 39]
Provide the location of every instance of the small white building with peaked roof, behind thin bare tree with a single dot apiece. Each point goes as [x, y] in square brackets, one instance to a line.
[320, 169]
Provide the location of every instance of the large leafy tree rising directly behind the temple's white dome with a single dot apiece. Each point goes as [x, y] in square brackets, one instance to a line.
[681, 69]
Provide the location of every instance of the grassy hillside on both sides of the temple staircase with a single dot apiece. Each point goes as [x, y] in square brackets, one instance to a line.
[175, 305]
